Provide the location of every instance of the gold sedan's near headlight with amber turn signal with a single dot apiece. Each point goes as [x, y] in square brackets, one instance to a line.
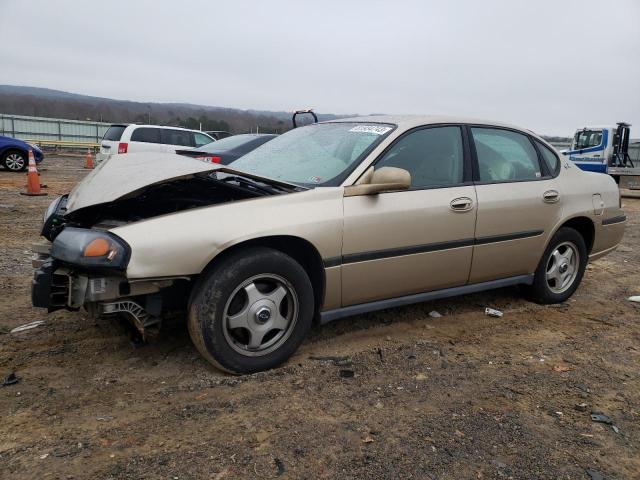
[91, 248]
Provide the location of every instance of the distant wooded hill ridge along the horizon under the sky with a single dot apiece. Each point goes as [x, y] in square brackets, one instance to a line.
[44, 102]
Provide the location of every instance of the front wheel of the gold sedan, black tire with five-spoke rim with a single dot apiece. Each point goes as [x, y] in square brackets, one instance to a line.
[251, 311]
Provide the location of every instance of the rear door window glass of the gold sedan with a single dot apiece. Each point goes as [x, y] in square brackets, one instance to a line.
[504, 155]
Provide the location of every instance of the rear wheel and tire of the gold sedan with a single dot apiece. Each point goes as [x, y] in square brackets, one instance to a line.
[559, 273]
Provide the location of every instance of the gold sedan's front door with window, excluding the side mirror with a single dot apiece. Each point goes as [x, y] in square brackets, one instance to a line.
[405, 242]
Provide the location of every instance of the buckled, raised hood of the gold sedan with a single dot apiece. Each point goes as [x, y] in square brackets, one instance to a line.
[124, 174]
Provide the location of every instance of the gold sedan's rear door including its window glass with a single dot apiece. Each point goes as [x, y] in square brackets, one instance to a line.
[519, 203]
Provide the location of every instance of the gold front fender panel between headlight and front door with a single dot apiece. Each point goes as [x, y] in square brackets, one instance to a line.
[184, 243]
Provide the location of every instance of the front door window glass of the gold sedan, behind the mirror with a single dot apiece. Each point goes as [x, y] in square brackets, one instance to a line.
[433, 156]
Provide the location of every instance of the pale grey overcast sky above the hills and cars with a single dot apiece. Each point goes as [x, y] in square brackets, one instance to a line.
[549, 65]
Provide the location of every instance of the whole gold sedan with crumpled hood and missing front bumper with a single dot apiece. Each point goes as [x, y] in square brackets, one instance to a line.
[325, 221]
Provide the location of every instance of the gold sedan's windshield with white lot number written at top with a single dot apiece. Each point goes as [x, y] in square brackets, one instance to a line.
[319, 154]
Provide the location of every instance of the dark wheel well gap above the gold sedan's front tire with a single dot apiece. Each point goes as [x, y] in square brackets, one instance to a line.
[297, 248]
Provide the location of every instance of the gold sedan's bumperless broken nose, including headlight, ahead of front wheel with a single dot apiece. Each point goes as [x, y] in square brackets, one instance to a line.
[87, 268]
